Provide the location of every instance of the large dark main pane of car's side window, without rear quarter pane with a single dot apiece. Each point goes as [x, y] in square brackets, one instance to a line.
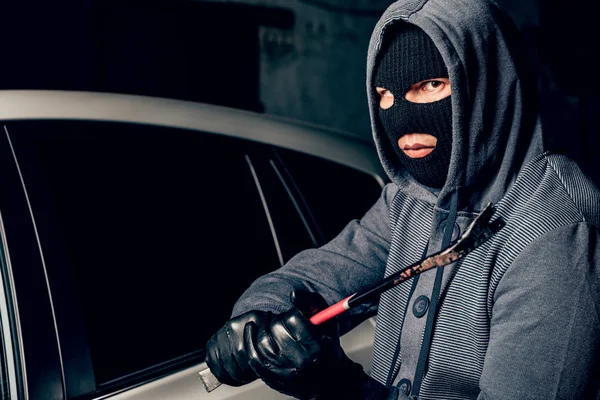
[162, 230]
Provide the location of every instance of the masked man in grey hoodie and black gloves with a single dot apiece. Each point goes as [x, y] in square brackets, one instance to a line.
[515, 318]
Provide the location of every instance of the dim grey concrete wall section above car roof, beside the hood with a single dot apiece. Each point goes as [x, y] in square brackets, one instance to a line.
[315, 71]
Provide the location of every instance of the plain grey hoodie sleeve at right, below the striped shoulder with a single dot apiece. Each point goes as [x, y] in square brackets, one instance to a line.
[544, 336]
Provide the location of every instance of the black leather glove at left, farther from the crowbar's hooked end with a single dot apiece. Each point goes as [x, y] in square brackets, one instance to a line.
[226, 354]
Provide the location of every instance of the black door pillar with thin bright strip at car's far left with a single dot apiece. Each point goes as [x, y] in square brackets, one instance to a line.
[36, 329]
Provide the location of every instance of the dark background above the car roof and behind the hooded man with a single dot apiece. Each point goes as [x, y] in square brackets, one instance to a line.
[302, 59]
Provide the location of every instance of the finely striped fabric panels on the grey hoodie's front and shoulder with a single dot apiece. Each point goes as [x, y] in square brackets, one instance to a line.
[550, 193]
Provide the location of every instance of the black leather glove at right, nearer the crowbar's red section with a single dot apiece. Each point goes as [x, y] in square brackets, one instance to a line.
[299, 359]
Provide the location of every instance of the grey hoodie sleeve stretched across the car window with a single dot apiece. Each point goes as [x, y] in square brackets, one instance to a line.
[353, 260]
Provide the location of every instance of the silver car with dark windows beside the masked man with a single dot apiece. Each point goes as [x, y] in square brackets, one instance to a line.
[131, 224]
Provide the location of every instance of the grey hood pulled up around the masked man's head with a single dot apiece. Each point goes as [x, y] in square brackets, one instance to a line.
[495, 121]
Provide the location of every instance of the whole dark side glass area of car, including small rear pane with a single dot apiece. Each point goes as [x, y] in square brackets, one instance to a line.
[150, 234]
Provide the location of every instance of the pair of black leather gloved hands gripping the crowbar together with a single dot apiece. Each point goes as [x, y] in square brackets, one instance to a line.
[290, 354]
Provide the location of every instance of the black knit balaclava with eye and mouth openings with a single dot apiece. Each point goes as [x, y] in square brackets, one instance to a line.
[409, 56]
